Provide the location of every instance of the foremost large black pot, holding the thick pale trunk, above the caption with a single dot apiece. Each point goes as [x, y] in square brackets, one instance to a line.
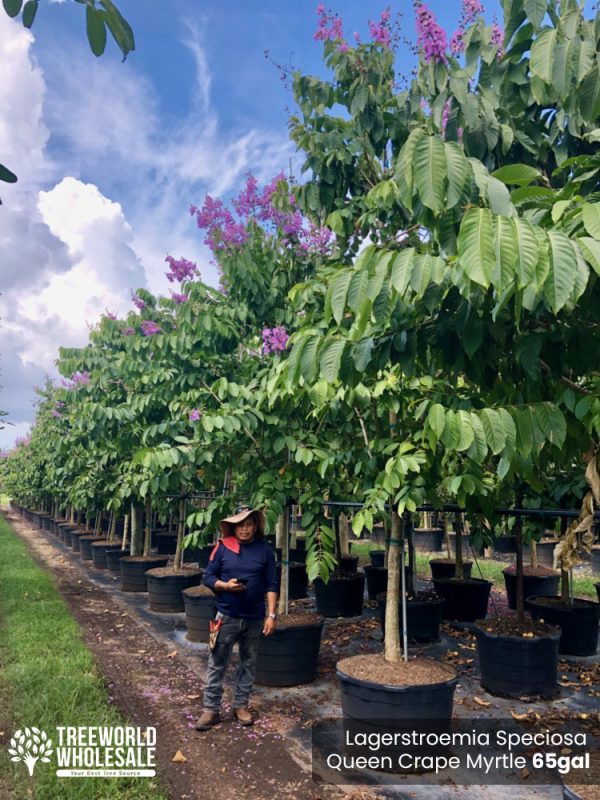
[367, 702]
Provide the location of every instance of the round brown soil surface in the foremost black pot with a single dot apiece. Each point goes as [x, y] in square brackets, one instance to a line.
[417, 672]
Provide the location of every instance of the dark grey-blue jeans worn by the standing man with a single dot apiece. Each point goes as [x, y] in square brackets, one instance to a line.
[246, 632]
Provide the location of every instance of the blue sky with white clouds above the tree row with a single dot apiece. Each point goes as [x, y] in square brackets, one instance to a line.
[111, 155]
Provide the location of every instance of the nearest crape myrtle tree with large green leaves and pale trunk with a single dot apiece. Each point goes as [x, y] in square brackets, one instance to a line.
[476, 187]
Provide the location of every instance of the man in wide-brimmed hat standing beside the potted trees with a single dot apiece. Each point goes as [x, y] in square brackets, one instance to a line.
[241, 571]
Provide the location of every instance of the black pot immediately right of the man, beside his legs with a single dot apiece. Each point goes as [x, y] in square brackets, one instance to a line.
[290, 656]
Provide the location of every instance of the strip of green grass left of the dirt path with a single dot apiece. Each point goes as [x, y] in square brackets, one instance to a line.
[49, 677]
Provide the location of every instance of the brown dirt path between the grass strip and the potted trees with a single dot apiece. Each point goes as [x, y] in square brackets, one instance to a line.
[153, 686]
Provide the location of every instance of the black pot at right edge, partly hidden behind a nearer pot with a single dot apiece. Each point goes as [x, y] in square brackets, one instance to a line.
[578, 623]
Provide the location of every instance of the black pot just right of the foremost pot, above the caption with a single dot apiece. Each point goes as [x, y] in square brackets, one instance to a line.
[516, 666]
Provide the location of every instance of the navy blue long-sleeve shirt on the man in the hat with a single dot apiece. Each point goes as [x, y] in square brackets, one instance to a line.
[254, 562]
